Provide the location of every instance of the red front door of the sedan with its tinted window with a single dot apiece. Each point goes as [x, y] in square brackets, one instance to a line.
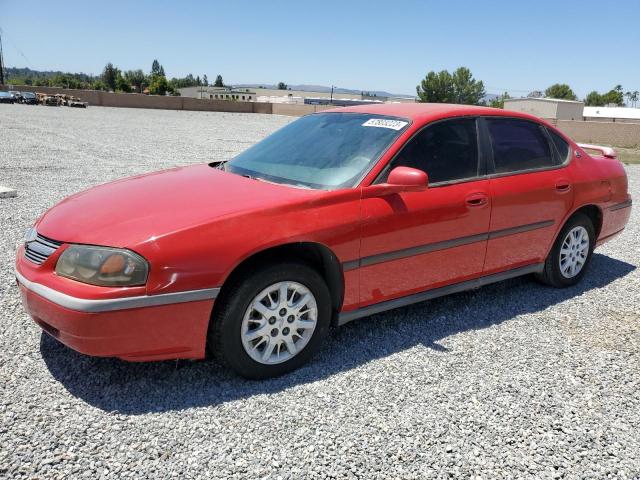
[415, 241]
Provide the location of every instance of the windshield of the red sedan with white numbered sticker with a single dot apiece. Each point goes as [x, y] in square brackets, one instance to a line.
[324, 150]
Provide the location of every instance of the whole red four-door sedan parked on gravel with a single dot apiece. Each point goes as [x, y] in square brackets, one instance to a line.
[336, 216]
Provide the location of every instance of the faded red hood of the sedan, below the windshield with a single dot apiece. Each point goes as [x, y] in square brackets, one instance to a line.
[134, 210]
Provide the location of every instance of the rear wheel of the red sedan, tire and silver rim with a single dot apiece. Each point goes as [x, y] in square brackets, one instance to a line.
[571, 253]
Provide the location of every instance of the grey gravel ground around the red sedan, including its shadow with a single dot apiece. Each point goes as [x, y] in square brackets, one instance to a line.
[514, 380]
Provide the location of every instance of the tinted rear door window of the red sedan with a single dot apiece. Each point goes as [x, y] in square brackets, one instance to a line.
[518, 145]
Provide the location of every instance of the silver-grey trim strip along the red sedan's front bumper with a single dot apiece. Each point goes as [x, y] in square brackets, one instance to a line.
[113, 304]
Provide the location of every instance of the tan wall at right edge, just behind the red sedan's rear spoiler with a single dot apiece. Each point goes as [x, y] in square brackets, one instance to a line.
[602, 133]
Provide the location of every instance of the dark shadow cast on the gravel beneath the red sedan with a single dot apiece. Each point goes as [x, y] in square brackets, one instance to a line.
[135, 388]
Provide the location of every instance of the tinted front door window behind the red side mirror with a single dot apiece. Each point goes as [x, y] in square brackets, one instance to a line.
[446, 151]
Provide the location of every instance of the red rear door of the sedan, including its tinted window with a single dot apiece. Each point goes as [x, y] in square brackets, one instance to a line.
[531, 192]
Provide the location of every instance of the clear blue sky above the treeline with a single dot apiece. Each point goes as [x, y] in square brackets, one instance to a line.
[514, 46]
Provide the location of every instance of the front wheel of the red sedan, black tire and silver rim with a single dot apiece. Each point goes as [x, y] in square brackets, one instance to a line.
[271, 320]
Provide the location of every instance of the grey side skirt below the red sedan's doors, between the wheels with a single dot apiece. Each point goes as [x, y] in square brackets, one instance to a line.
[346, 317]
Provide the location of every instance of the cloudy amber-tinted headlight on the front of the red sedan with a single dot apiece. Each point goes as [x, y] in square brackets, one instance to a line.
[107, 267]
